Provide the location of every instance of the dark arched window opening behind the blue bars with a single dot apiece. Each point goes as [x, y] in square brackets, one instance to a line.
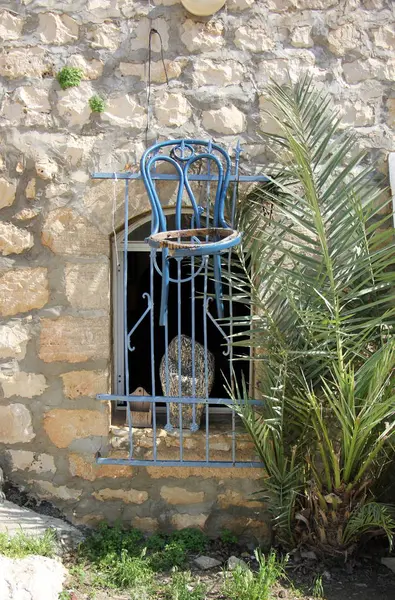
[140, 360]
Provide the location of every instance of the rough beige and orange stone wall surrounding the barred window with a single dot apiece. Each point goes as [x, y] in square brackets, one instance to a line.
[55, 342]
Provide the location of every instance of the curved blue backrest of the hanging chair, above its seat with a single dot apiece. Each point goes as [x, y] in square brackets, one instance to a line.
[214, 167]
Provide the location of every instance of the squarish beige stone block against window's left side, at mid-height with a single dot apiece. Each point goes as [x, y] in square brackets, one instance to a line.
[88, 285]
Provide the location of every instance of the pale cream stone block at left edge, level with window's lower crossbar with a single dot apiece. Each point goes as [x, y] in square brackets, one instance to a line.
[15, 424]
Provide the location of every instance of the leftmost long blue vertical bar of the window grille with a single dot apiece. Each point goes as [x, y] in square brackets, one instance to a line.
[125, 314]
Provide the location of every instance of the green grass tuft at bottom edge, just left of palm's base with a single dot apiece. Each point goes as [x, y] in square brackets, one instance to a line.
[244, 584]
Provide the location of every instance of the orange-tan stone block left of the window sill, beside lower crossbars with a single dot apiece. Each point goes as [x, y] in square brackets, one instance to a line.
[64, 426]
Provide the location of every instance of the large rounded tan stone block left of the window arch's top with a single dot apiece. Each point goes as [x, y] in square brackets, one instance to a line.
[66, 232]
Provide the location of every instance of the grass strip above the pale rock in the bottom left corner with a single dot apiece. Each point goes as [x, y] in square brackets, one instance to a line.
[21, 544]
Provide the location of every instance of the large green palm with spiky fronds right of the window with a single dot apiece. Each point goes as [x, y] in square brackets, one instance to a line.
[318, 272]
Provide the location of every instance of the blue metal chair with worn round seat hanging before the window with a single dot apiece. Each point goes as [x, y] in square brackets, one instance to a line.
[217, 236]
